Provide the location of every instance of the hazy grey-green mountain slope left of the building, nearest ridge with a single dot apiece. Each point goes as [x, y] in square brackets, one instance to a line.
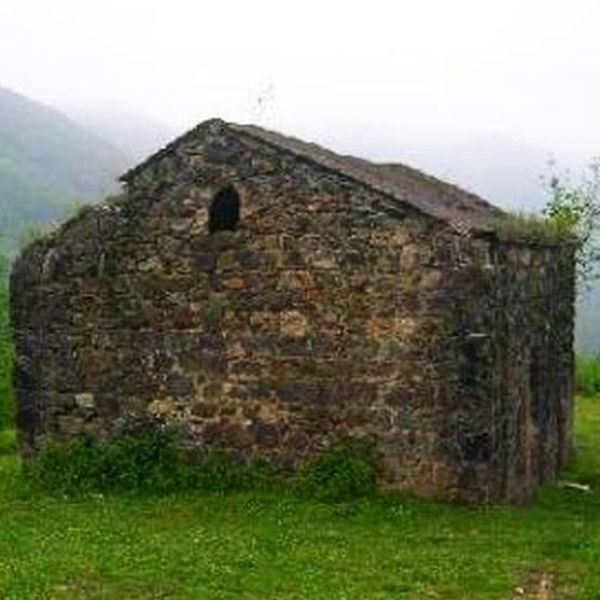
[47, 162]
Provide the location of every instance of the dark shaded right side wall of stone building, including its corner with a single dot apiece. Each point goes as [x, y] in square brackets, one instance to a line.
[514, 345]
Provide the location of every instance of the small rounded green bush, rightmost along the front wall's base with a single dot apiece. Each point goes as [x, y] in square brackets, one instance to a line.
[345, 470]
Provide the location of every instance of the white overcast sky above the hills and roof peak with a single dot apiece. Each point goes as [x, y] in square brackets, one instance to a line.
[527, 69]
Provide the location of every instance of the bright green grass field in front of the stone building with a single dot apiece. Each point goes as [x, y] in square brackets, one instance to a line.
[278, 546]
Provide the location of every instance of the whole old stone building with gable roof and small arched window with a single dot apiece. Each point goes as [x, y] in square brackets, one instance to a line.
[271, 295]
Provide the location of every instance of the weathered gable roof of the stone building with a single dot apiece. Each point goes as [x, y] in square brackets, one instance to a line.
[400, 183]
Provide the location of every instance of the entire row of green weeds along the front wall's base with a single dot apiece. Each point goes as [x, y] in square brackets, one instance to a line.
[155, 463]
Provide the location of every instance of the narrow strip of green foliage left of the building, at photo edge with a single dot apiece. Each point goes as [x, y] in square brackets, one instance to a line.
[6, 351]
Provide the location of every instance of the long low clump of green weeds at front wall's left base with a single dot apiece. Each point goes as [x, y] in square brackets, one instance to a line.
[148, 463]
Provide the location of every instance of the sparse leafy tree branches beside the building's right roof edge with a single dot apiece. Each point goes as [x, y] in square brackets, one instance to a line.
[574, 208]
